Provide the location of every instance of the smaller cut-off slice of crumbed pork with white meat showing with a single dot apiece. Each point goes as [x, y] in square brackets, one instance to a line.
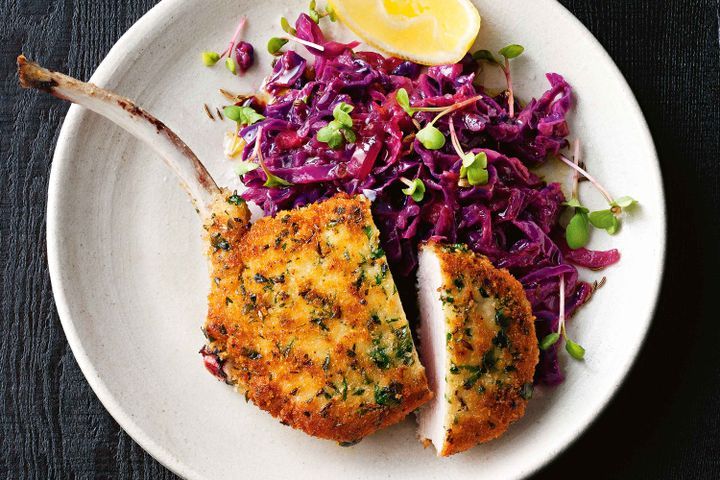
[478, 345]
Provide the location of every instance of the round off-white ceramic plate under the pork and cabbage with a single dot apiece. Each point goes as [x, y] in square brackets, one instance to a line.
[130, 278]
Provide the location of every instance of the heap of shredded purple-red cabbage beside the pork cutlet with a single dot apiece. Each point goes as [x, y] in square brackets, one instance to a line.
[513, 219]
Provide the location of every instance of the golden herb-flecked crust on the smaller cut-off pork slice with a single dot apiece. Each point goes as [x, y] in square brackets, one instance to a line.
[491, 344]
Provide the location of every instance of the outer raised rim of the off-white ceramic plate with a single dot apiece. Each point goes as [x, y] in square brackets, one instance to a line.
[75, 117]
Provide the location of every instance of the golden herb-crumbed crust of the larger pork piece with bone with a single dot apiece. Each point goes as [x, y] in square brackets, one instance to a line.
[304, 318]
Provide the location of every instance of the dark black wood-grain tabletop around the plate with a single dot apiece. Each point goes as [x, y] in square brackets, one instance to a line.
[664, 423]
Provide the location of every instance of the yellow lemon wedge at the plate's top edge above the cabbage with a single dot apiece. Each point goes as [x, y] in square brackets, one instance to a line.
[429, 32]
